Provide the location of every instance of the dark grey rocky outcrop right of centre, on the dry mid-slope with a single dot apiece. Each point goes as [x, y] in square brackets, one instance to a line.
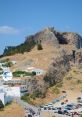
[57, 70]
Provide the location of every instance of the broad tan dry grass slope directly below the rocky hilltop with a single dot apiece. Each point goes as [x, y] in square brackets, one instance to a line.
[35, 58]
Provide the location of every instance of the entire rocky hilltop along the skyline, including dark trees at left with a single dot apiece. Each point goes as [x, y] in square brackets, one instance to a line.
[48, 36]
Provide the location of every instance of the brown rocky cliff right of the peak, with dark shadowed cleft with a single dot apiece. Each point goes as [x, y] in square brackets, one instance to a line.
[69, 38]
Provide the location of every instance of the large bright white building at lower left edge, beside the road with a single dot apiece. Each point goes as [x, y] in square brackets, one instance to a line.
[7, 94]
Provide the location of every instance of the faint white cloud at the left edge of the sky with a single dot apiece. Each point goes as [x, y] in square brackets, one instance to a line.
[8, 30]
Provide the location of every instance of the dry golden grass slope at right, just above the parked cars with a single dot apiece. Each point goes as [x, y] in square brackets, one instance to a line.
[72, 87]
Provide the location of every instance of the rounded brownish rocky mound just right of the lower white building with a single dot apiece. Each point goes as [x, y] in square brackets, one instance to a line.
[38, 90]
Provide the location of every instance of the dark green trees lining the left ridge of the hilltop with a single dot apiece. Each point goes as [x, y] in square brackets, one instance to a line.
[24, 47]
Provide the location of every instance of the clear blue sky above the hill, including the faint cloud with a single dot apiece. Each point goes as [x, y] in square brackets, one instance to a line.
[21, 18]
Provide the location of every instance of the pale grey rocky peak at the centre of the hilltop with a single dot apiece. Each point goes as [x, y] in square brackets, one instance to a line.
[47, 37]
